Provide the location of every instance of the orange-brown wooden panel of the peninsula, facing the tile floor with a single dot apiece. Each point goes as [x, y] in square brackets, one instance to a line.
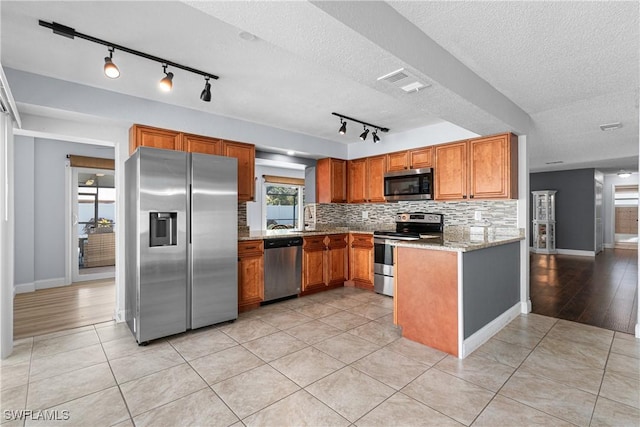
[427, 297]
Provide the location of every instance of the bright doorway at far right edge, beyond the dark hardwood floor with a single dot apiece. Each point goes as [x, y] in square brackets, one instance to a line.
[626, 217]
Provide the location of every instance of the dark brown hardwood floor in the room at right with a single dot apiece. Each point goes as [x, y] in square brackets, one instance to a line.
[600, 291]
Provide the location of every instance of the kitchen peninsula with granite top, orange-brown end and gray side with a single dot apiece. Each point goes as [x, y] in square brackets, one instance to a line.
[454, 293]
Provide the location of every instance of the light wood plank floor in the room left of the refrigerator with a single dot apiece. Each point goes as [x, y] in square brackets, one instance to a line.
[66, 307]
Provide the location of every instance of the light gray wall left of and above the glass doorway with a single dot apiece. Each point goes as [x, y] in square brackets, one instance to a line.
[40, 166]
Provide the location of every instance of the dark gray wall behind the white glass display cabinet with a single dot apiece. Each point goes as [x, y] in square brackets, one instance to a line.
[575, 204]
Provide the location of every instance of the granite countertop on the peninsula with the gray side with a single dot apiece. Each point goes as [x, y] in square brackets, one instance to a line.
[462, 240]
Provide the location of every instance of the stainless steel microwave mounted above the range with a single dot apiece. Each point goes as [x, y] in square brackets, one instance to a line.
[410, 184]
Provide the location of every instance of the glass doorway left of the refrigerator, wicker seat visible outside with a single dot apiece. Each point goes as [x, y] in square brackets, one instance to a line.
[93, 233]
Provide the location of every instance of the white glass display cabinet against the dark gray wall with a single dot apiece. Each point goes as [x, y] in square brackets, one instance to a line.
[544, 221]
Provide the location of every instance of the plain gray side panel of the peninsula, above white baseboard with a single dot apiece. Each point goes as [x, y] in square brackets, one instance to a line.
[491, 284]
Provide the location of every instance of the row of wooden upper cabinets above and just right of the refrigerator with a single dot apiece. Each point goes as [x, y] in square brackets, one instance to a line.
[146, 136]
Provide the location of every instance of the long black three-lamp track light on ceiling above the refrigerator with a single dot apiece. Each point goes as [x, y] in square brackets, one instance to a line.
[112, 71]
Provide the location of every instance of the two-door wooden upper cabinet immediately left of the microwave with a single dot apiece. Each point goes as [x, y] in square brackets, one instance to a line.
[366, 179]
